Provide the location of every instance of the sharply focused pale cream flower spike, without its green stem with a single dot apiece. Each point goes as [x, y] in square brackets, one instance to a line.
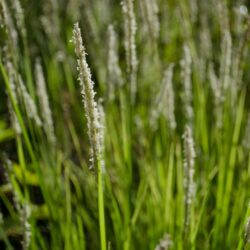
[88, 94]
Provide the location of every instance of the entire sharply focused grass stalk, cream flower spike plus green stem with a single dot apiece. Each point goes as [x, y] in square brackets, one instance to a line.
[94, 127]
